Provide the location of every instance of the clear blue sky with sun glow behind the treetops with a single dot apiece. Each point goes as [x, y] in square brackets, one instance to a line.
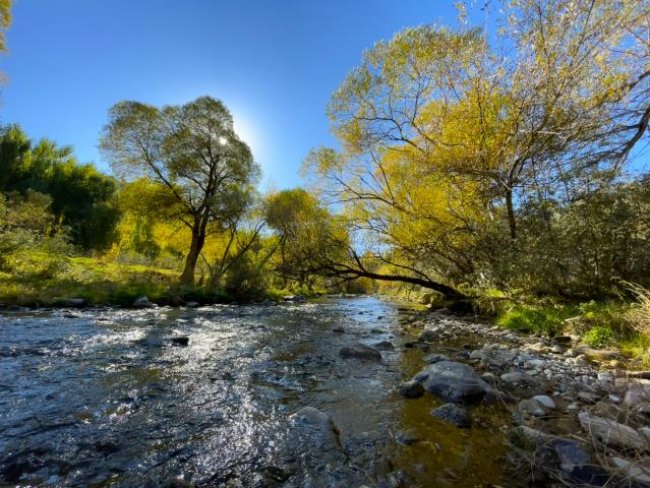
[273, 62]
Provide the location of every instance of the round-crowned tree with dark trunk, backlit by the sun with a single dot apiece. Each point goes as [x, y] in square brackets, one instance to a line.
[192, 154]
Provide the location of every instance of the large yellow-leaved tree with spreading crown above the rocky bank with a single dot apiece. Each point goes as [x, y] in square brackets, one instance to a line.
[447, 134]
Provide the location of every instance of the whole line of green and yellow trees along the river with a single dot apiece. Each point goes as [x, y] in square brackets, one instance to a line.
[472, 162]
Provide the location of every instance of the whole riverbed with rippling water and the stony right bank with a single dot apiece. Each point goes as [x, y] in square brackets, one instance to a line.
[340, 392]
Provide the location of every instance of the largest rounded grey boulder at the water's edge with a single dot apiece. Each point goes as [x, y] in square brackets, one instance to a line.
[453, 382]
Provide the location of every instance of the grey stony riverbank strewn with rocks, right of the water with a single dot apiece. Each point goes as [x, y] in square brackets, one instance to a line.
[578, 414]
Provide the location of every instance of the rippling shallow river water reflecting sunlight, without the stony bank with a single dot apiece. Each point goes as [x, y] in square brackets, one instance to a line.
[105, 397]
